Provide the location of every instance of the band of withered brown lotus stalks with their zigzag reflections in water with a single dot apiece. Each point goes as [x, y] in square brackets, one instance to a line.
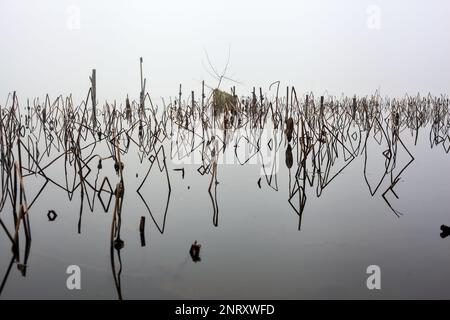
[320, 138]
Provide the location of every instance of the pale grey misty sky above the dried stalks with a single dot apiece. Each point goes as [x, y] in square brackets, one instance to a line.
[349, 46]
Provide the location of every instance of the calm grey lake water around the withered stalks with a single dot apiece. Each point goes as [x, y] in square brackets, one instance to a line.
[270, 225]
